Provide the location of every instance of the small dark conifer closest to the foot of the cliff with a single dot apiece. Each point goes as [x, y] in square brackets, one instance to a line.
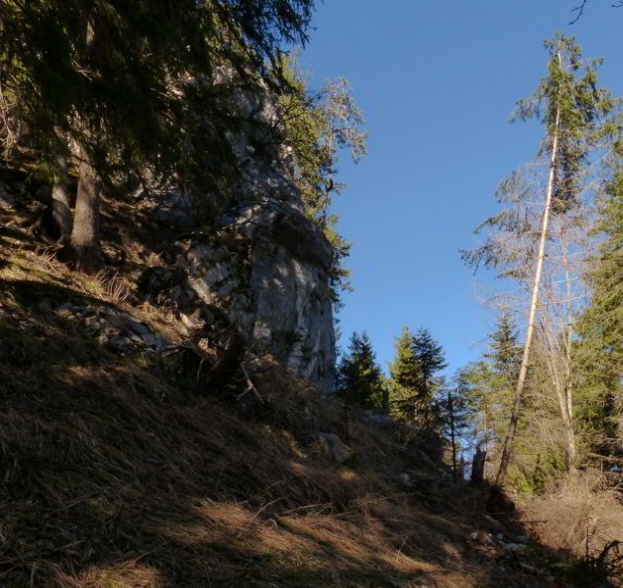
[359, 377]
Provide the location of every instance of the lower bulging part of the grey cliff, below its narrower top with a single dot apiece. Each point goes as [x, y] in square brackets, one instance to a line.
[268, 273]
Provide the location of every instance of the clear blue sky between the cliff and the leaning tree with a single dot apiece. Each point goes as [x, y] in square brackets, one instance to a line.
[437, 81]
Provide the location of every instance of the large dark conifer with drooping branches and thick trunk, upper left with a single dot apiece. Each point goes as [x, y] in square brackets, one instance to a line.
[112, 78]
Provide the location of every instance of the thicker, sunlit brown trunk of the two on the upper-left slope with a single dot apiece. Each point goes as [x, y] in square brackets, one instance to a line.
[84, 245]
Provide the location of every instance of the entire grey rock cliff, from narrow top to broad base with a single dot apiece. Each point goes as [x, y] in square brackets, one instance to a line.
[267, 268]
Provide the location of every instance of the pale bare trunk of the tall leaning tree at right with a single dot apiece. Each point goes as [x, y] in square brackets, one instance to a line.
[523, 370]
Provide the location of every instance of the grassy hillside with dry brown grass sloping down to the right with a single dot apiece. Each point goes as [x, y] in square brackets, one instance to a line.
[121, 468]
